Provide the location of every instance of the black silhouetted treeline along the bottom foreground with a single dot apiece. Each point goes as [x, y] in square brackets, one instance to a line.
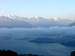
[13, 53]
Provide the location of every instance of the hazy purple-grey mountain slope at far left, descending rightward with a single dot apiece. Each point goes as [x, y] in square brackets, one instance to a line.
[10, 22]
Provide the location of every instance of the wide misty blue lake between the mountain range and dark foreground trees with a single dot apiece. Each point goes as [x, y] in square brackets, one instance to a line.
[19, 39]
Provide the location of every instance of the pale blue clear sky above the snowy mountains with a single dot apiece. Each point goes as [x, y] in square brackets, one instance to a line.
[46, 8]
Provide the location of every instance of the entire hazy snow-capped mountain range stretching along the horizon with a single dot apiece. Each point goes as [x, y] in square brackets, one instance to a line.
[17, 21]
